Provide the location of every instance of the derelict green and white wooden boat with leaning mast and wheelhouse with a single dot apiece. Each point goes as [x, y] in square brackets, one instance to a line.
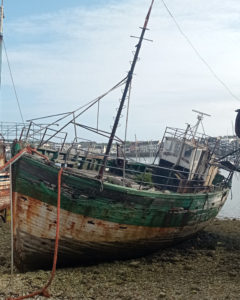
[111, 208]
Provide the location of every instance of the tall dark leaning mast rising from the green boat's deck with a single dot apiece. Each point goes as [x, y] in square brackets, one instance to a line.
[128, 82]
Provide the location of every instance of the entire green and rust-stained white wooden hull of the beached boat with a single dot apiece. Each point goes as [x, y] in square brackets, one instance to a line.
[98, 223]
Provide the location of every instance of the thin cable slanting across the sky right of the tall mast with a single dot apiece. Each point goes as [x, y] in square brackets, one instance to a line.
[199, 55]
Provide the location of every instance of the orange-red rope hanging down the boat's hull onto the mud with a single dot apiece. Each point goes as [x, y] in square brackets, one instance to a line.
[43, 291]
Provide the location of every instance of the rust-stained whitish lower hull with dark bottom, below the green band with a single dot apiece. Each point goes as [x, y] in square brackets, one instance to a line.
[81, 238]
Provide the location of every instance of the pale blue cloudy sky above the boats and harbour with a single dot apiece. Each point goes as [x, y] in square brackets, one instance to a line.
[65, 53]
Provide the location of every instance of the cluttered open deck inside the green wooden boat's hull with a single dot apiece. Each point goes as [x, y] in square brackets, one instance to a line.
[144, 176]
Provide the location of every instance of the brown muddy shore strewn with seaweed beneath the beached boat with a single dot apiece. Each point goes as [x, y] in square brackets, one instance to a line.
[204, 267]
